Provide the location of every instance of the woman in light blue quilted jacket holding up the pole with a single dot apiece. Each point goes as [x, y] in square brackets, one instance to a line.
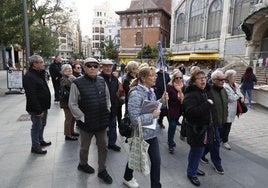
[142, 90]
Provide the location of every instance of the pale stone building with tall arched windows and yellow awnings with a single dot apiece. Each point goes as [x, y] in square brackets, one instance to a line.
[211, 31]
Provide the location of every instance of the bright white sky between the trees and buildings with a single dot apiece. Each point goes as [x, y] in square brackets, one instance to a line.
[85, 10]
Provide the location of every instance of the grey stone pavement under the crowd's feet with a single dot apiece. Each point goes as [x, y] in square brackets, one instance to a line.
[246, 165]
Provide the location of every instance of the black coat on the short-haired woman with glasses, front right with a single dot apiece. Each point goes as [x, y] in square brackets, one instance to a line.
[199, 114]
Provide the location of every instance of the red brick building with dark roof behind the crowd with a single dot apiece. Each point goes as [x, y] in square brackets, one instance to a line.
[145, 22]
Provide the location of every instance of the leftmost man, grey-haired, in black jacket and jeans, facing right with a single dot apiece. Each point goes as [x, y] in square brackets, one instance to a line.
[37, 101]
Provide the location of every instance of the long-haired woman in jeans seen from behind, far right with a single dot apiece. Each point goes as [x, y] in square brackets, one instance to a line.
[248, 80]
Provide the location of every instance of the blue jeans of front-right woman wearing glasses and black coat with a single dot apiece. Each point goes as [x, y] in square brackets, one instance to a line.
[194, 157]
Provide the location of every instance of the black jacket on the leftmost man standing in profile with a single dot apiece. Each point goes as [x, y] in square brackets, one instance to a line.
[38, 96]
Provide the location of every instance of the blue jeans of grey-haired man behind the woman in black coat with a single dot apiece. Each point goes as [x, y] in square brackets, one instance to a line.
[214, 147]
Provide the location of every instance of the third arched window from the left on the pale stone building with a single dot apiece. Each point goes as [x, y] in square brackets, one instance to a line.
[214, 20]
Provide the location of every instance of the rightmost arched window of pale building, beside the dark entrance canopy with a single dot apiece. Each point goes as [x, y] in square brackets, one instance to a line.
[241, 11]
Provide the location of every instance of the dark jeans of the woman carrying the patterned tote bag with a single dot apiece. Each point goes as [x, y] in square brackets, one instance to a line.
[154, 154]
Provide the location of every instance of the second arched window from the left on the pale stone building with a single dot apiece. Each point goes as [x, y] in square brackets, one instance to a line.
[195, 22]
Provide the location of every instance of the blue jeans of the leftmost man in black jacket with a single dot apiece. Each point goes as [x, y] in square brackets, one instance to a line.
[37, 131]
